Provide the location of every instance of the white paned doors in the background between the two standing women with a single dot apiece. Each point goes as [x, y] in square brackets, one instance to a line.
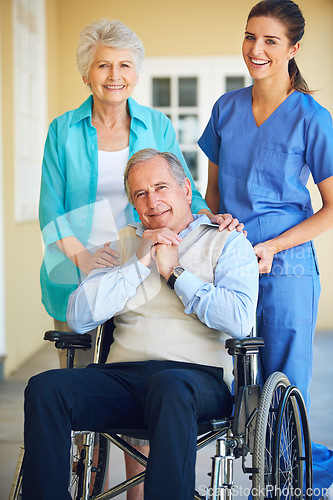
[185, 89]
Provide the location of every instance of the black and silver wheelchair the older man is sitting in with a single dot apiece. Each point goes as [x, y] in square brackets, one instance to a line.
[269, 433]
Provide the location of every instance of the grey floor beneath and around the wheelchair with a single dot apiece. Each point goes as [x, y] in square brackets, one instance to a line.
[11, 415]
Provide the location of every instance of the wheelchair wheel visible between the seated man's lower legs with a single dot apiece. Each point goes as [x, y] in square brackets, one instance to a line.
[98, 470]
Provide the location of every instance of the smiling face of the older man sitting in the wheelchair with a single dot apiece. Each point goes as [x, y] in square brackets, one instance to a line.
[158, 198]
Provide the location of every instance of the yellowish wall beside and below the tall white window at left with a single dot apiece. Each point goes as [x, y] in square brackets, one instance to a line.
[25, 318]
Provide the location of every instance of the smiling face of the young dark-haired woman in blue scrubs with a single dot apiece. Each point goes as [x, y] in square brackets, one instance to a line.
[266, 48]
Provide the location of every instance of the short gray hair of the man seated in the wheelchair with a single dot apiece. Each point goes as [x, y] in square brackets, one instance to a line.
[175, 167]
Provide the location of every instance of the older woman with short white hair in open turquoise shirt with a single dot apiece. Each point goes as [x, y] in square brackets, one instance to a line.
[82, 200]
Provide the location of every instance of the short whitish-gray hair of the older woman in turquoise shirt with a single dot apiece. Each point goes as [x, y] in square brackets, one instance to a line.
[107, 33]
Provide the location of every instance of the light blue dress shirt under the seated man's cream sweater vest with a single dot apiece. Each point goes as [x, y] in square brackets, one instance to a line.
[227, 305]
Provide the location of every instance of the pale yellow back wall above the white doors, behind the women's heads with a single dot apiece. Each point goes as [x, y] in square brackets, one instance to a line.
[192, 28]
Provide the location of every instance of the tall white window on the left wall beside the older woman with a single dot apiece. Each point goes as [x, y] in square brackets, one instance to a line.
[29, 104]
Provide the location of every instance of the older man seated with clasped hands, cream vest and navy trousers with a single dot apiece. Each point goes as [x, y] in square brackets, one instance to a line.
[181, 286]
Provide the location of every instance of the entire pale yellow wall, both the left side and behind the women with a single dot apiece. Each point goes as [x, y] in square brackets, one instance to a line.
[176, 28]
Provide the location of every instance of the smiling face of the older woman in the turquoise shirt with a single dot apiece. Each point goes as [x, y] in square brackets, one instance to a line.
[112, 75]
